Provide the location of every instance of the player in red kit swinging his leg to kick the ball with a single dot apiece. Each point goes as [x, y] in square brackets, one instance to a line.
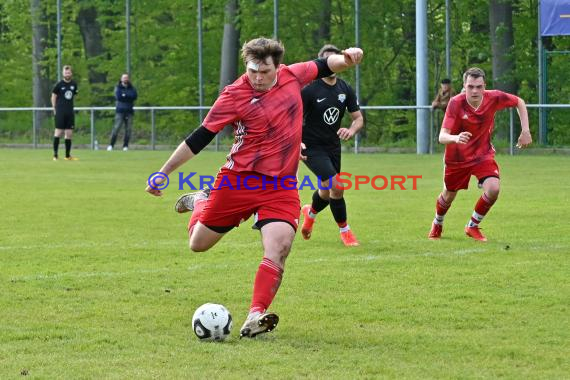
[259, 177]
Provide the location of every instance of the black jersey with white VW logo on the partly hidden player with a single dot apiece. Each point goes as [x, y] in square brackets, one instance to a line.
[323, 109]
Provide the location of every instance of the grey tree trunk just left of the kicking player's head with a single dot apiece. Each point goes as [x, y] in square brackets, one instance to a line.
[230, 52]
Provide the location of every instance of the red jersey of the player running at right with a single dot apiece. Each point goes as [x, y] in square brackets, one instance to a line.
[460, 116]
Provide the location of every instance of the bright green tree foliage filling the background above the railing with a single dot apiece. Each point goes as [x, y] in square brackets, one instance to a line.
[164, 52]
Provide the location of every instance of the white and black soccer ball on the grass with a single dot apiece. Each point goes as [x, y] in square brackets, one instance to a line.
[212, 322]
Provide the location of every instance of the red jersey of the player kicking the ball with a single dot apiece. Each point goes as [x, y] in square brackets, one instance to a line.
[267, 125]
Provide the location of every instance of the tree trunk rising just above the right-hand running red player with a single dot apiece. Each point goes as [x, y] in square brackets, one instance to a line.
[501, 25]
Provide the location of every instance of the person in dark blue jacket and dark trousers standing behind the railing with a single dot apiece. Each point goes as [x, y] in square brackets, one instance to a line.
[125, 94]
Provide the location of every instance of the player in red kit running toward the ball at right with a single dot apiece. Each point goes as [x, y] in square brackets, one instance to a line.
[466, 132]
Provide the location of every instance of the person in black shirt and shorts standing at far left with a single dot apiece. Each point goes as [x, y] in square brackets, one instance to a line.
[62, 97]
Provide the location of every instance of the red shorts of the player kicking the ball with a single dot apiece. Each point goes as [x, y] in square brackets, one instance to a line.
[236, 196]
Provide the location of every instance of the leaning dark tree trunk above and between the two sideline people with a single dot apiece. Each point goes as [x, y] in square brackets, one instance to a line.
[93, 43]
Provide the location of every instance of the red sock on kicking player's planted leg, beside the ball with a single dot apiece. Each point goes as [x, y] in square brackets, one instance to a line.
[267, 281]
